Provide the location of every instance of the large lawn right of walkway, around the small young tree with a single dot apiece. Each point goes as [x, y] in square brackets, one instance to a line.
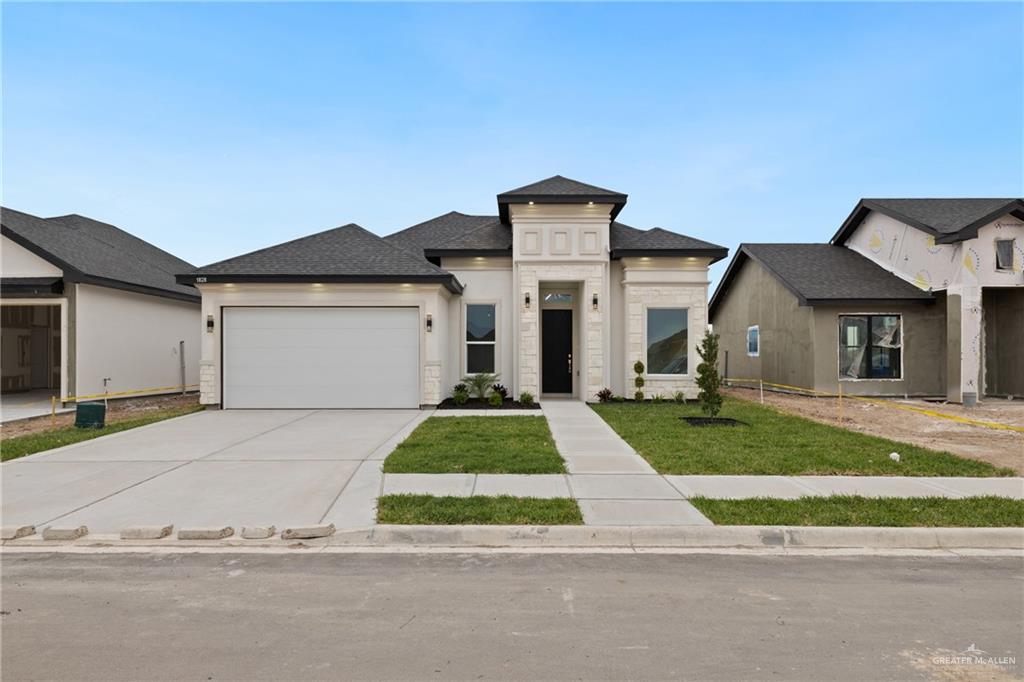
[773, 443]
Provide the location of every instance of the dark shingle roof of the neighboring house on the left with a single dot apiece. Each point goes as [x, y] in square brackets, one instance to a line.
[95, 252]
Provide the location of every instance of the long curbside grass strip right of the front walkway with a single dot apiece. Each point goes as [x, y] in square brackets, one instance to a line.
[852, 510]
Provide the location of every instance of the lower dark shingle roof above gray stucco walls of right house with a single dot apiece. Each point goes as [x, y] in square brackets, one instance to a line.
[822, 274]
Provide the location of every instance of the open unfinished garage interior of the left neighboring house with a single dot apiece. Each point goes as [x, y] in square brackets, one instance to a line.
[30, 350]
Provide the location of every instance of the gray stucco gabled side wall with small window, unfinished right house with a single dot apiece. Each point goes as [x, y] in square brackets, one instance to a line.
[787, 357]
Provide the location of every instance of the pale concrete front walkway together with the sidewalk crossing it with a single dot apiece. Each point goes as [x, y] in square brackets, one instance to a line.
[617, 487]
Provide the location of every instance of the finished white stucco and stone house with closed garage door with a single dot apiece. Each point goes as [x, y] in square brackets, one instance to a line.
[553, 293]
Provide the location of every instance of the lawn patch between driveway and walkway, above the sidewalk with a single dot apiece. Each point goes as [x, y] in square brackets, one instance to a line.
[478, 445]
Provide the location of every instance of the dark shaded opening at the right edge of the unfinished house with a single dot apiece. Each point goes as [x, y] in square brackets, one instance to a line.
[1004, 314]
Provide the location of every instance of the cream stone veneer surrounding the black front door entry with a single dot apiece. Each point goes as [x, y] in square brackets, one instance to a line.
[592, 378]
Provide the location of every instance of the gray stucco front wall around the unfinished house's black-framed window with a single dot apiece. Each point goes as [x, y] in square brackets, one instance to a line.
[924, 357]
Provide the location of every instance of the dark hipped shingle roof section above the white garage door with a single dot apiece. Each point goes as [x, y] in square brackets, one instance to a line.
[349, 253]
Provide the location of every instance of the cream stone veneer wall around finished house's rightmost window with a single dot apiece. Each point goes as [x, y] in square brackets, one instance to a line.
[639, 296]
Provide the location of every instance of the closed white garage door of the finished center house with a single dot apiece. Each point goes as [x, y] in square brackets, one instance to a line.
[321, 358]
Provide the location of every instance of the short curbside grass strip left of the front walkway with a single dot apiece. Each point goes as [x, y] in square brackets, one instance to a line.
[500, 510]
